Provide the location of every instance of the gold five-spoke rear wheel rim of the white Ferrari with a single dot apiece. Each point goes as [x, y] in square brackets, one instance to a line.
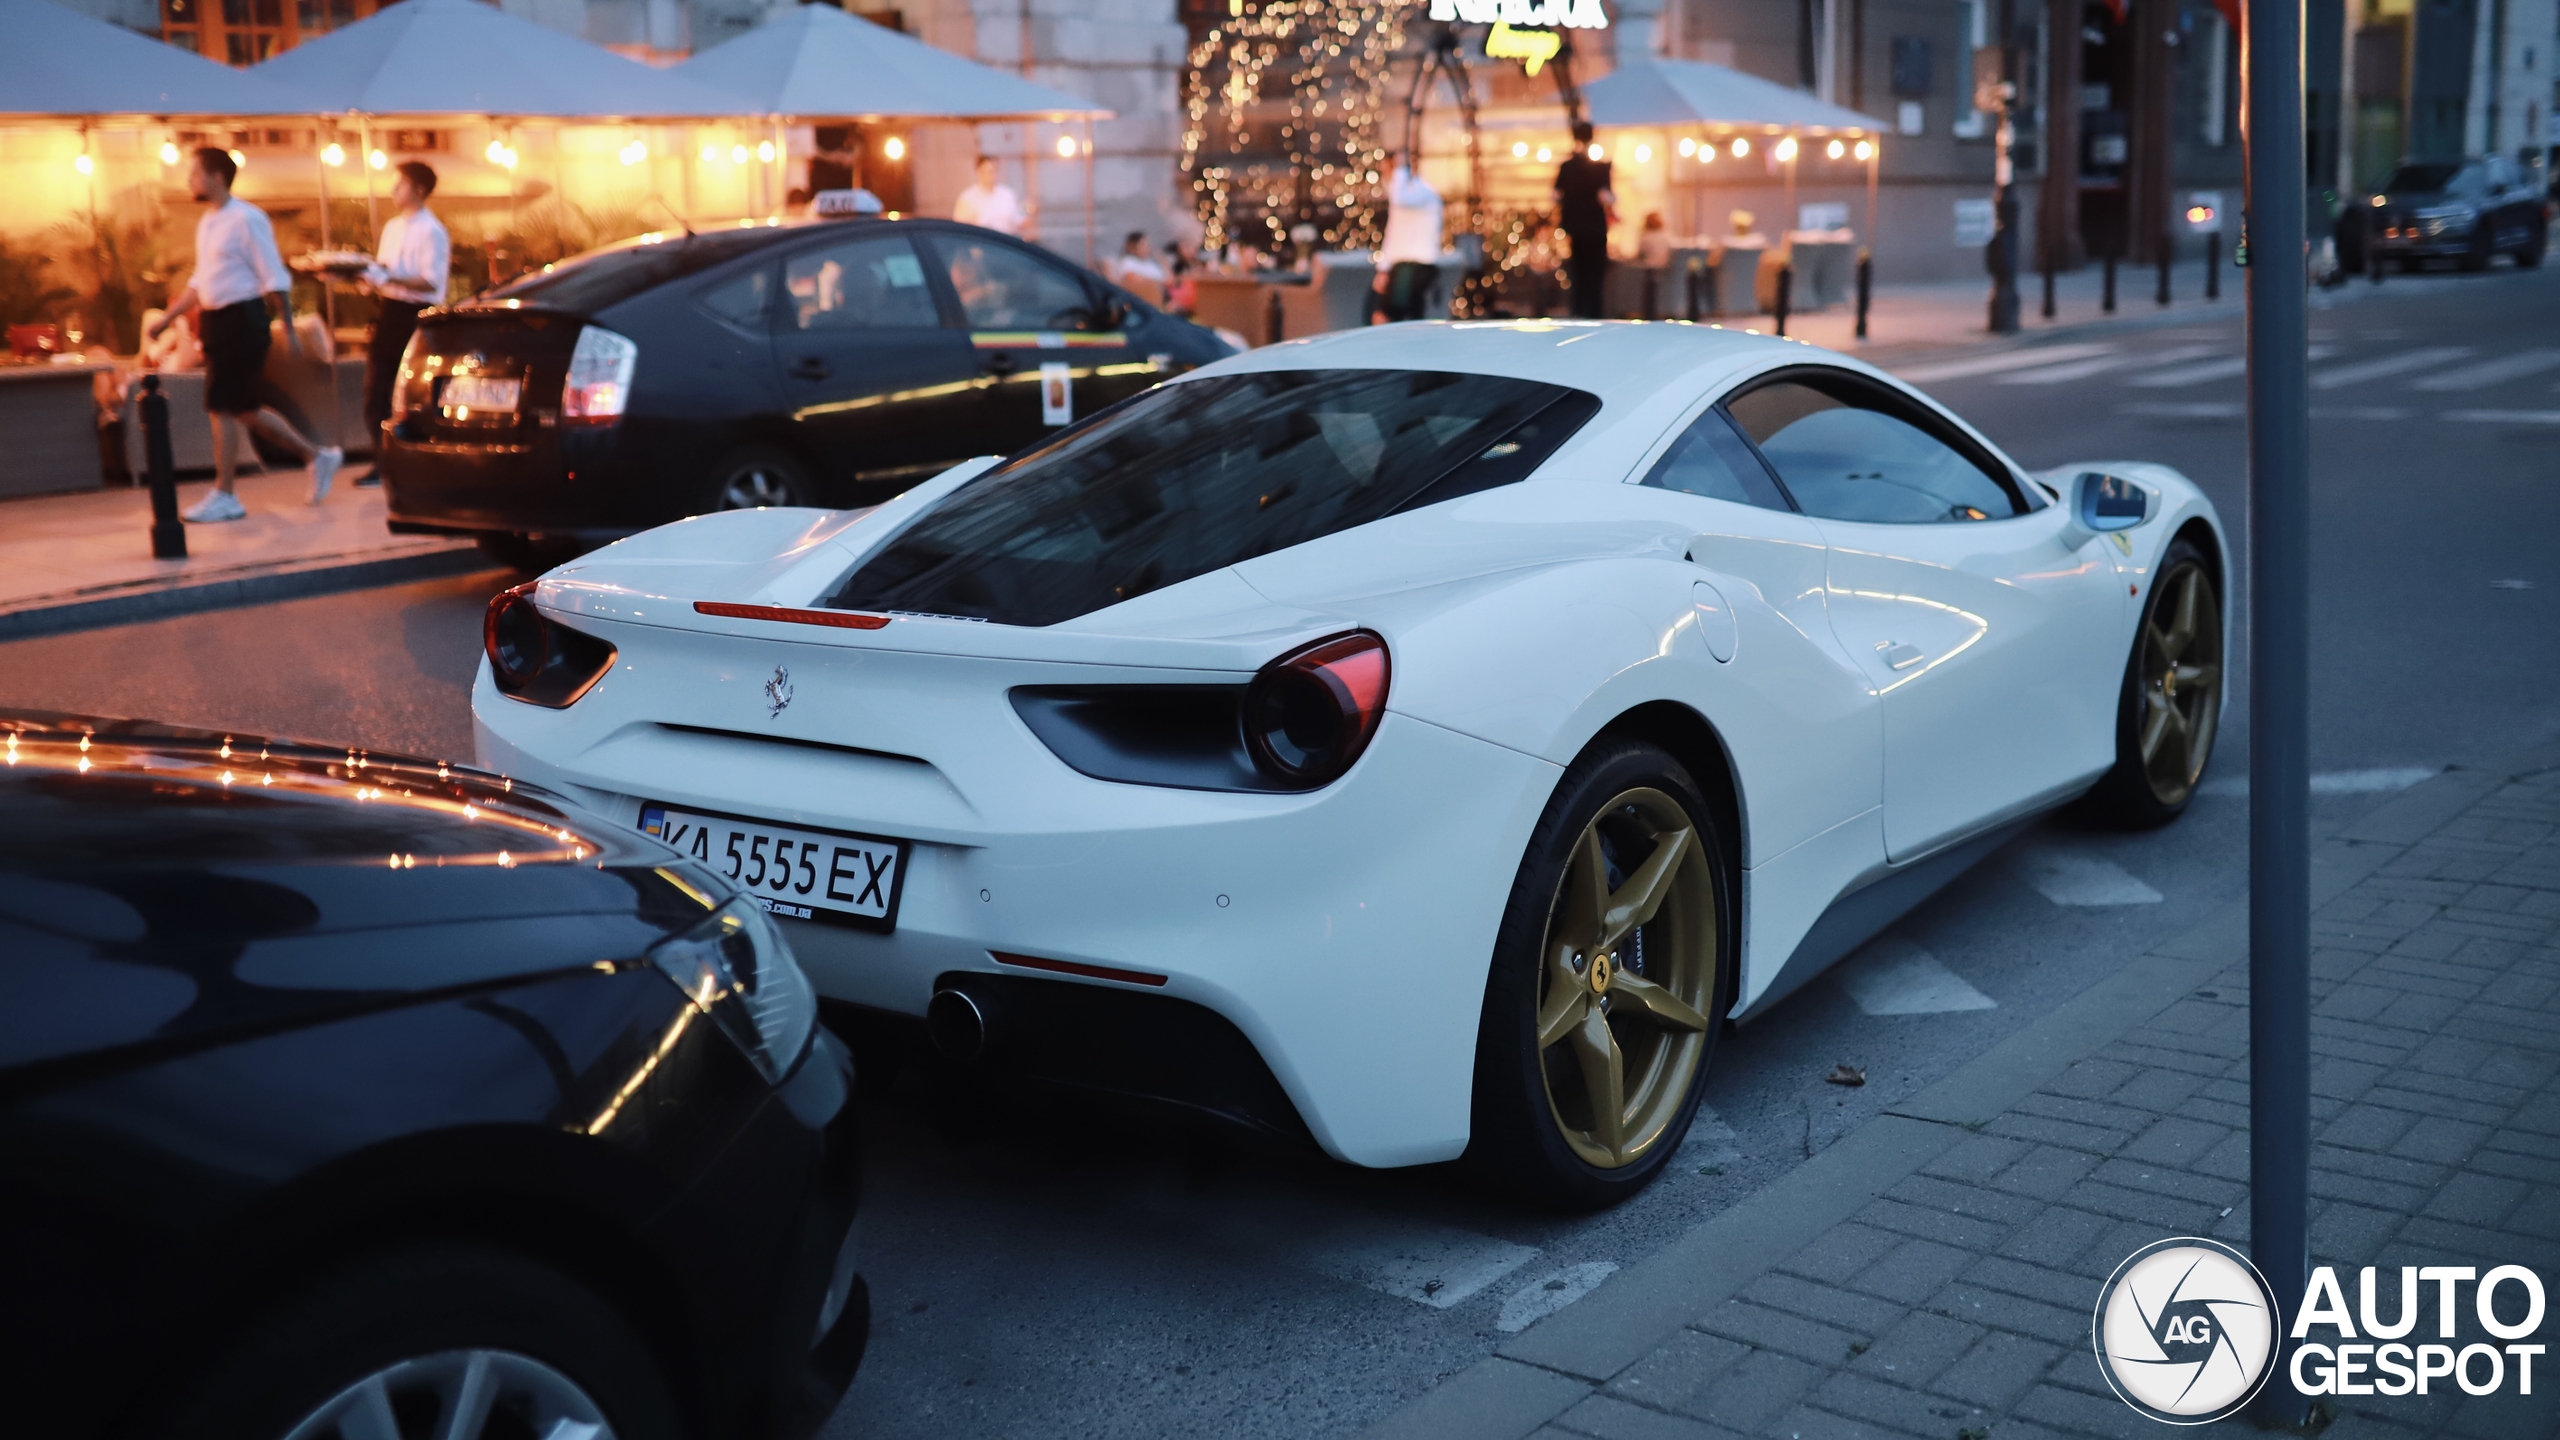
[1624, 978]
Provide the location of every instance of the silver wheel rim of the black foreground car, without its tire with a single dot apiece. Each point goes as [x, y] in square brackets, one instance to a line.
[470, 1393]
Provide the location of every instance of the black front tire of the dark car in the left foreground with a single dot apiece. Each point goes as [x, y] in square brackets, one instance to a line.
[421, 1308]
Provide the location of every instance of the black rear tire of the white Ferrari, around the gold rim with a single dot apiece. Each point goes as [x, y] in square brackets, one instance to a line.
[1519, 1136]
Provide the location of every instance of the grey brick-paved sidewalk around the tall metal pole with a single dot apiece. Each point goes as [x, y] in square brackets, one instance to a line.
[1939, 1280]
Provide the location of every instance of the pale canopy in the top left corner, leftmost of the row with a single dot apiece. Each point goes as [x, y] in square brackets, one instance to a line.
[65, 63]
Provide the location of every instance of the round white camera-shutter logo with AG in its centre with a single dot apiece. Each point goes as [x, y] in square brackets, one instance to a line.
[2185, 1331]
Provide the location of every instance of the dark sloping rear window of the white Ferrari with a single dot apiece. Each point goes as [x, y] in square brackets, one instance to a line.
[1204, 475]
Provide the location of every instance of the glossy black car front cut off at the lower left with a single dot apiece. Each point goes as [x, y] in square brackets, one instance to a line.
[352, 1095]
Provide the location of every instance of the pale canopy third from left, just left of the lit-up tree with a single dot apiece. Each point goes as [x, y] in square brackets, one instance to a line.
[820, 63]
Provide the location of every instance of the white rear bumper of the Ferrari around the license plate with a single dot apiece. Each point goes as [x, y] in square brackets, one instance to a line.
[1345, 934]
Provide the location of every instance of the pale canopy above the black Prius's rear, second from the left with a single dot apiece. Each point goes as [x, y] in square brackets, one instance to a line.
[457, 58]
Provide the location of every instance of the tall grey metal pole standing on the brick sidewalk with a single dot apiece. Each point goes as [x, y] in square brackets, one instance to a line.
[2280, 732]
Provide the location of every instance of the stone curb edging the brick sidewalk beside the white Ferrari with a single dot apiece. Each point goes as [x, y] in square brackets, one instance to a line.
[1642, 1308]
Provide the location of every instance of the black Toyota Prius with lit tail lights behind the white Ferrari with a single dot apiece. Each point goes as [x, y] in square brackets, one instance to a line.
[762, 365]
